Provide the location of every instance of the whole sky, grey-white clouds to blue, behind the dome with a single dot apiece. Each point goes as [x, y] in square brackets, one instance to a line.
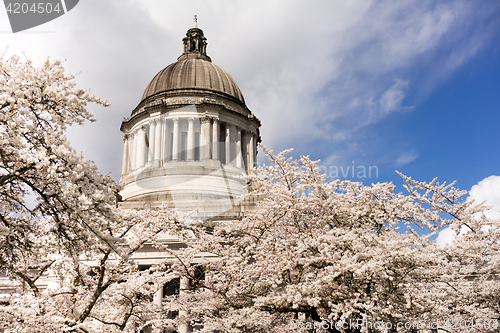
[408, 85]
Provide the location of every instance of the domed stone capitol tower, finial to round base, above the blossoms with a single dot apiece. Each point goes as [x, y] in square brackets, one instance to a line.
[191, 139]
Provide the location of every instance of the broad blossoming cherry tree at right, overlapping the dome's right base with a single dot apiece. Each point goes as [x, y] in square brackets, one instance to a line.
[341, 256]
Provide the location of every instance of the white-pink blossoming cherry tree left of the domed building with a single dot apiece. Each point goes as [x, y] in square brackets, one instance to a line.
[58, 220]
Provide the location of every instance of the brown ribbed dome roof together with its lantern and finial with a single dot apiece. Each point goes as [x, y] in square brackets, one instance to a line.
[193, 70]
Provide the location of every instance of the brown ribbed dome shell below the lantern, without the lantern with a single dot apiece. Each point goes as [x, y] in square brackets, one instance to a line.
[194, 73]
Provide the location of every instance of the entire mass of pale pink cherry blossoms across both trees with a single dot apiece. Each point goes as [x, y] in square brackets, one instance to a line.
[311, 253]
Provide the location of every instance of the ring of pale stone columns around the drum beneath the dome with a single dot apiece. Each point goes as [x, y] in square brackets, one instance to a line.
[188, 138]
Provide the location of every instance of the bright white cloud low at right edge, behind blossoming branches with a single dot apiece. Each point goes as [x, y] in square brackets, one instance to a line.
[487, 191]
